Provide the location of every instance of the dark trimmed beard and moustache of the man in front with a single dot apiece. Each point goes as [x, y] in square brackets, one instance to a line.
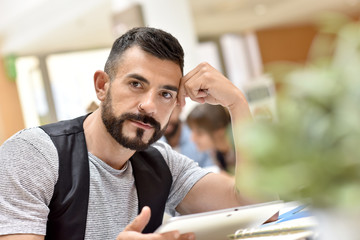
[114, 125]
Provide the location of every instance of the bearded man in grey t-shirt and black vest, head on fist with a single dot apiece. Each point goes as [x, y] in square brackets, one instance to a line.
[103, 175]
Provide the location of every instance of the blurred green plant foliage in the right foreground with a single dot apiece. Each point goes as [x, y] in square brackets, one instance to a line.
[312, 153]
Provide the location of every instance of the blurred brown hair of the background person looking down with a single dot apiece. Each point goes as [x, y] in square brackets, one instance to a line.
[208, 117]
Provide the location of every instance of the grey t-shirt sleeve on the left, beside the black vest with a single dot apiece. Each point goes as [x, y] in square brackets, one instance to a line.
[28, 174]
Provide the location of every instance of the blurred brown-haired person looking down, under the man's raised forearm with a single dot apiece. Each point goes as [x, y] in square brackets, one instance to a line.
[211, 131]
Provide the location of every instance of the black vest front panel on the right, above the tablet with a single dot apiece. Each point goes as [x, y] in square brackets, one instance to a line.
[153, 181]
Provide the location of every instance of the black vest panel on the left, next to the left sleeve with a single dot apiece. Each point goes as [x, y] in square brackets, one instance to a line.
[69, 204]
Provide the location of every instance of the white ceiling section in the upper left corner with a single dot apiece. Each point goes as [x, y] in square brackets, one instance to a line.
[57, 25]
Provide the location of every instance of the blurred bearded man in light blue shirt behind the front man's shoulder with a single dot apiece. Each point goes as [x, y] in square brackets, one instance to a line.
[178, 136]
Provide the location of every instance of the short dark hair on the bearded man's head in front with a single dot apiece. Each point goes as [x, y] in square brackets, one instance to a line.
[154, 41]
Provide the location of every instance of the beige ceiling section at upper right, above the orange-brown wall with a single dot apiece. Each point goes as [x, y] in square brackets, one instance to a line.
[215, 17]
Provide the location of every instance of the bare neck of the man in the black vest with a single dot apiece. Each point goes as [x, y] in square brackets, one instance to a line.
[100, 143]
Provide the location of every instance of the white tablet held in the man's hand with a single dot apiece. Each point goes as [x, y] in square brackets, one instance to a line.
[217, 225]
